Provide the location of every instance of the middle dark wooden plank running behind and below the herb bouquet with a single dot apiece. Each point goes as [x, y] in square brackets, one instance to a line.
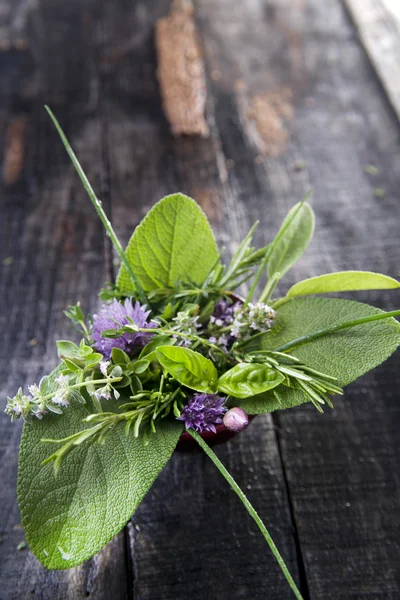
[190, 537]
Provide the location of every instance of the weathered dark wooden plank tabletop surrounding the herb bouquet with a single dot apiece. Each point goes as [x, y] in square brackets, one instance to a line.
[293, 103]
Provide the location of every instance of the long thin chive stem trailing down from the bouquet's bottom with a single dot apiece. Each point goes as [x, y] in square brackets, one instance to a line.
[249, 508]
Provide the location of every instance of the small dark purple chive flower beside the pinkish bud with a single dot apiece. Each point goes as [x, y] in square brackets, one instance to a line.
[203, 412]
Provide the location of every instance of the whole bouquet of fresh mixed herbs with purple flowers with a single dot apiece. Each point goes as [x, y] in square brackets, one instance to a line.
[174, 348]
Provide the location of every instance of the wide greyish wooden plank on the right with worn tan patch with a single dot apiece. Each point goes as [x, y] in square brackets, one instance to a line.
[342, 468]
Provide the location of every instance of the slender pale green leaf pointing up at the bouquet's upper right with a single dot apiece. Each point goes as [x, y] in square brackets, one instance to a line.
[292, 239]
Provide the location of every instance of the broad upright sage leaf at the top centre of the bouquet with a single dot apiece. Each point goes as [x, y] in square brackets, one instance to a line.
[173, 242]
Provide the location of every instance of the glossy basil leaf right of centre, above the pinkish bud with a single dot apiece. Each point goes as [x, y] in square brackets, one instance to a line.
[248, 379]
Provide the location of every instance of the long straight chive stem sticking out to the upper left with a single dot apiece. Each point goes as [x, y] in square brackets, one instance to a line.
[97, 204]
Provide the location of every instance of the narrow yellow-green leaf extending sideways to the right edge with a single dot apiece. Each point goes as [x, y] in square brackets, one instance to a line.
[343, 281]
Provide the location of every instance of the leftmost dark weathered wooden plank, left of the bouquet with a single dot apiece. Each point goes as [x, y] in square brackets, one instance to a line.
[52, 250]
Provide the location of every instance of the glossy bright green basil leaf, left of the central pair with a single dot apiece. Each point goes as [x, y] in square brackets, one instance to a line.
[188, 367]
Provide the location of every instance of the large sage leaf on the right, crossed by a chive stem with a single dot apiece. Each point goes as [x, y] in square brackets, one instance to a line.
[345, 354]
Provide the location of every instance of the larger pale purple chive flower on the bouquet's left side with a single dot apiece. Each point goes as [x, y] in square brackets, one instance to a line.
[115, 315]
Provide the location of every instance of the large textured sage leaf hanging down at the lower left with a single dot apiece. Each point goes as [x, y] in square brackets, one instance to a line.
[68, 518]
